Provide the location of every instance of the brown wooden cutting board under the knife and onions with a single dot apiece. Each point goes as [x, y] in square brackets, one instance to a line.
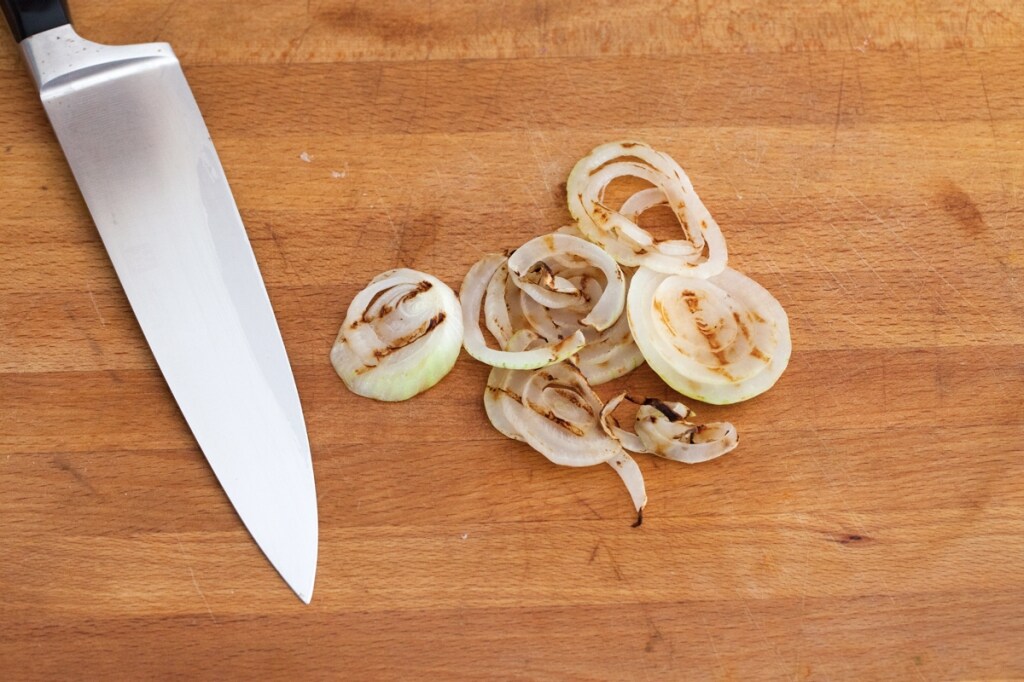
[867, 162]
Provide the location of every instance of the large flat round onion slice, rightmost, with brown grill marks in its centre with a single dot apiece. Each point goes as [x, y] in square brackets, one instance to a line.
[720, 340]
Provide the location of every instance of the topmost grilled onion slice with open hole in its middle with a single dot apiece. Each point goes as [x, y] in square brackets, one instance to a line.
[701, 252]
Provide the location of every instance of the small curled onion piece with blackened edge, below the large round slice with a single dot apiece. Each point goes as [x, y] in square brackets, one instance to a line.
[663, 430]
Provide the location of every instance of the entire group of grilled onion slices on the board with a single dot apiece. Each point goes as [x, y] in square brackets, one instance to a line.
[578, 308]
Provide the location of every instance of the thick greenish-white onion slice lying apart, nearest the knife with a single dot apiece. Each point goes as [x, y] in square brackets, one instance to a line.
[402, 335]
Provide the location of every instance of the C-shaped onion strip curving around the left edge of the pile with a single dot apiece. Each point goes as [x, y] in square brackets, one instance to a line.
[474, 289]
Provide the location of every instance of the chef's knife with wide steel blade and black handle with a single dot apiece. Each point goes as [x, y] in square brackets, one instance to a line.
[151, 178]
